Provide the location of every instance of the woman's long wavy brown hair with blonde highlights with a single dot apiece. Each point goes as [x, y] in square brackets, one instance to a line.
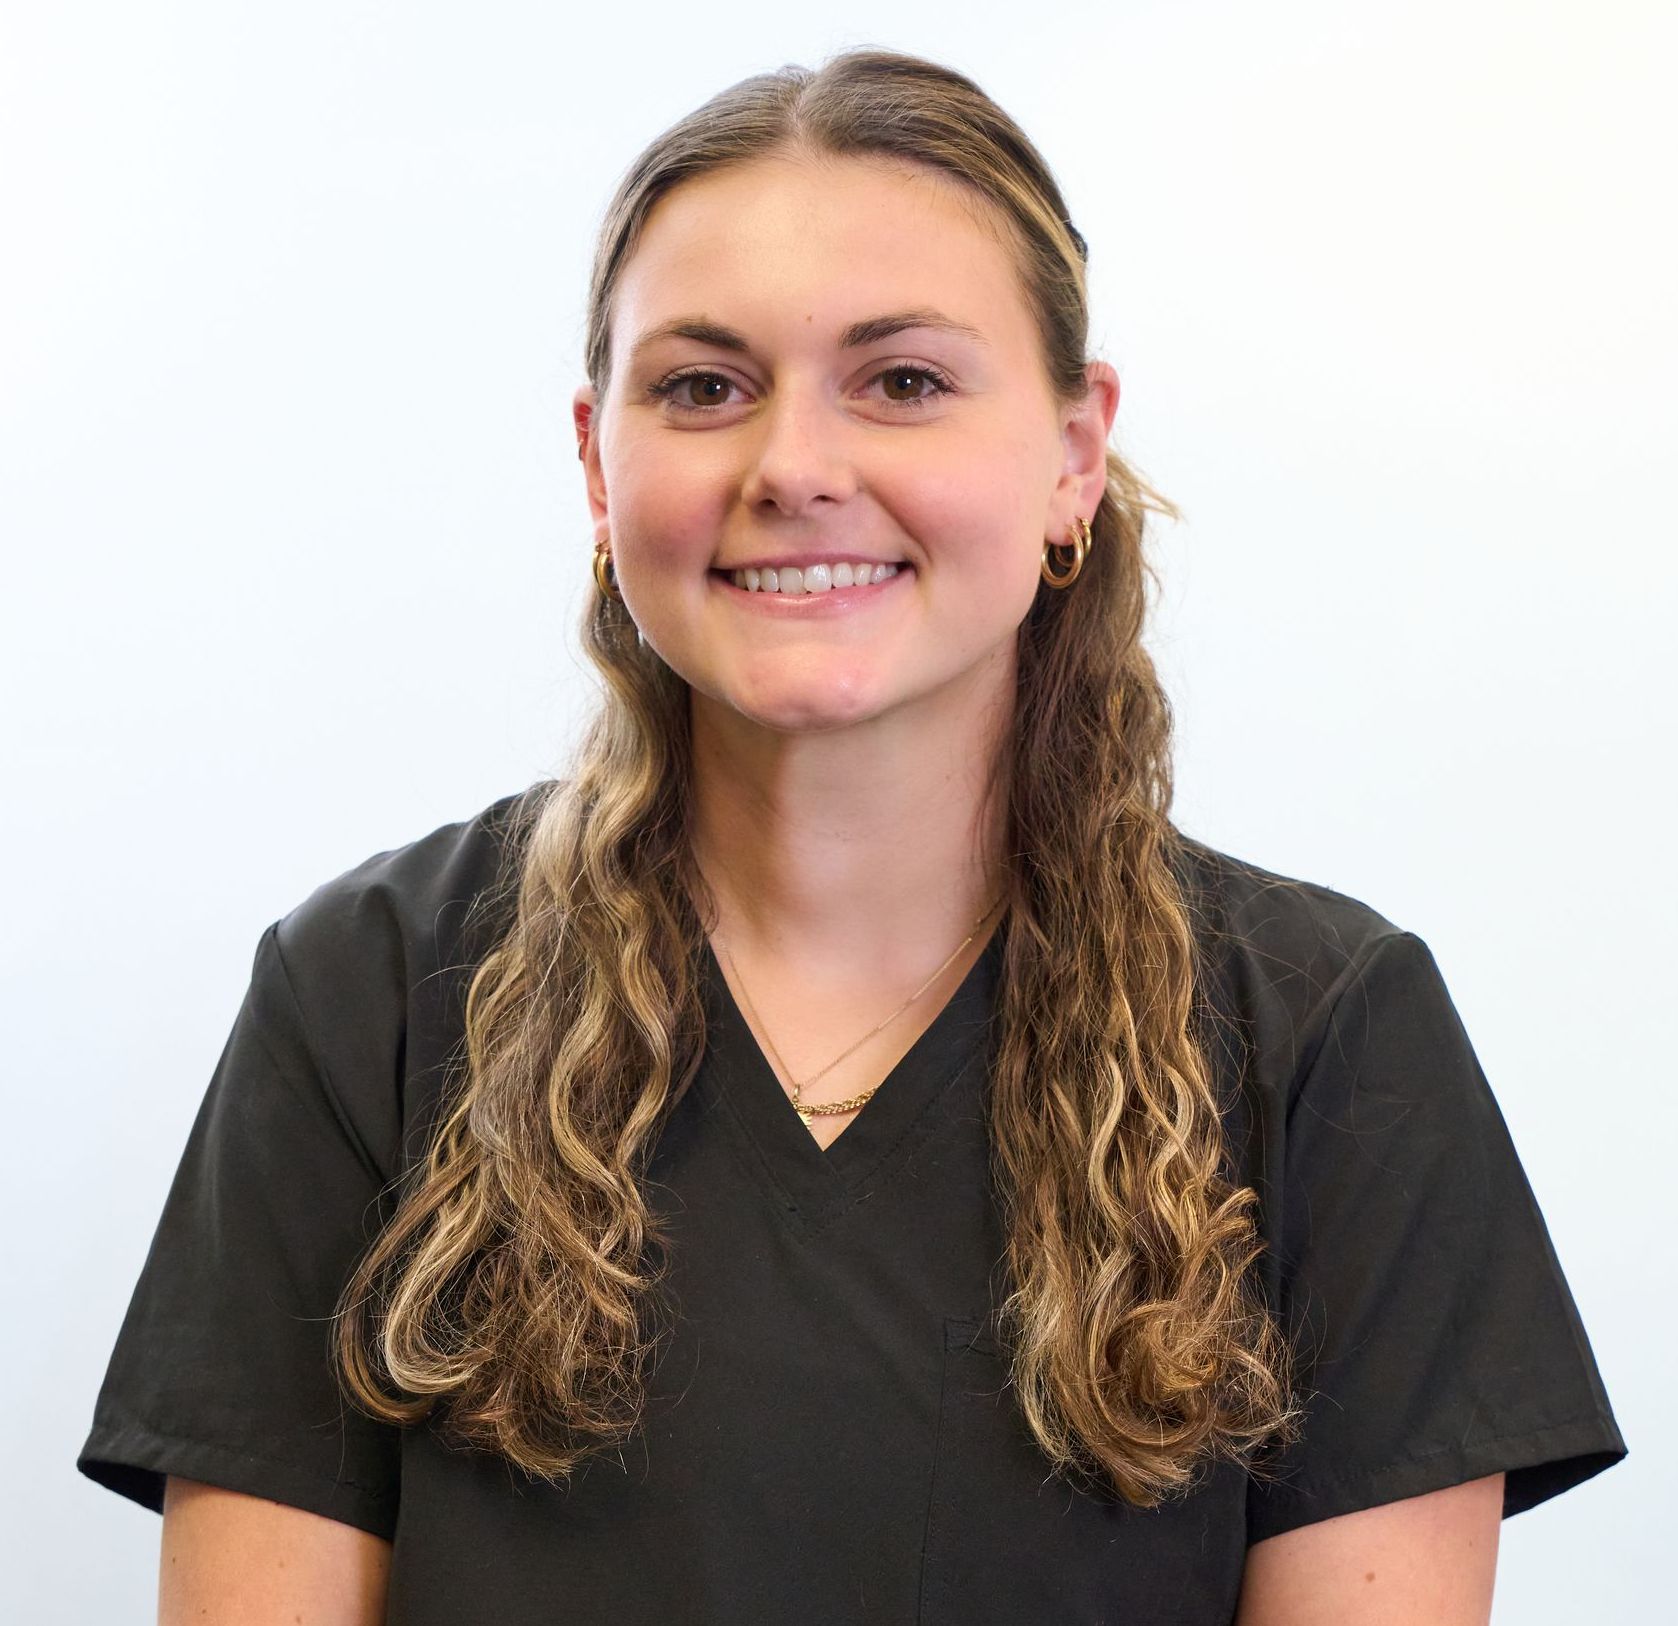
[514, 1288]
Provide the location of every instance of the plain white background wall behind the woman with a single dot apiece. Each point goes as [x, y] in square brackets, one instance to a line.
[291, 311]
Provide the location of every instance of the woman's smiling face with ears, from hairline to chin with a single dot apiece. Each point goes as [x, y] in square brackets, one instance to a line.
[826, 365]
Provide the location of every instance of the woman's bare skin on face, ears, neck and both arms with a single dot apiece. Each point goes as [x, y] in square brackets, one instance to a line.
[840, 806]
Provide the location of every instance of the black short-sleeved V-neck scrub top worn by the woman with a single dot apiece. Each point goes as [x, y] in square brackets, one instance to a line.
[830, 1432]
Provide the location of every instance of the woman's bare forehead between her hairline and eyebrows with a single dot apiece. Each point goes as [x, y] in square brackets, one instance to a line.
[779, 244]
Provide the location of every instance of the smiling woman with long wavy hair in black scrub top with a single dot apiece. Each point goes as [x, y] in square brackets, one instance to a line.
[843, 1154]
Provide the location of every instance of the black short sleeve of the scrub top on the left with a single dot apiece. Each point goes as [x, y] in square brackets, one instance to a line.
[222, 1370]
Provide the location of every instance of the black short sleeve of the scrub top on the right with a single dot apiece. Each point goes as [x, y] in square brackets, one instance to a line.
[1437, 1338]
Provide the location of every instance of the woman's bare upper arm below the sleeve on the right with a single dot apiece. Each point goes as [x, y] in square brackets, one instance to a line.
[1425, 1561]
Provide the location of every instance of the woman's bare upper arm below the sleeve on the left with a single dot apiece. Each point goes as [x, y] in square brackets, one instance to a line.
[236, 1558]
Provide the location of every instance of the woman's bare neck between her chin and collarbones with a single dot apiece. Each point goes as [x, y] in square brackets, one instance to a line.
[872, 847]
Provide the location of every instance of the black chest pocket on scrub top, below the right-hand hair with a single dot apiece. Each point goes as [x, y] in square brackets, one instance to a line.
[1009, 1541]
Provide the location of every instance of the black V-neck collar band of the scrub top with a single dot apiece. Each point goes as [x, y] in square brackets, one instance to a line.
[803, 1175]
